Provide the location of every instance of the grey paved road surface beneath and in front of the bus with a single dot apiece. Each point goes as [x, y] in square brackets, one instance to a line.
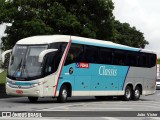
[88, 106]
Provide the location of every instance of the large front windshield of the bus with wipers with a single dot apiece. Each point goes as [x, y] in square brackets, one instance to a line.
[24, 61]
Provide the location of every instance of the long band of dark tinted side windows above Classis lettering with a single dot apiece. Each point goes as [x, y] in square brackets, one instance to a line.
[102, 55]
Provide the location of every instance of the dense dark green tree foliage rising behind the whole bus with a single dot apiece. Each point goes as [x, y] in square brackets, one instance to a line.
[86, 18]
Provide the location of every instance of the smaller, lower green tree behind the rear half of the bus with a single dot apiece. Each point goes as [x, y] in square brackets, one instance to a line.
[126, 35]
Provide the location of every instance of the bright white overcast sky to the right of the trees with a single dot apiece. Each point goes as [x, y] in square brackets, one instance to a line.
[144, 15]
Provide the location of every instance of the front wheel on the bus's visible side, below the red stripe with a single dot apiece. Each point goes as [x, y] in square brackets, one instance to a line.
[63, 94]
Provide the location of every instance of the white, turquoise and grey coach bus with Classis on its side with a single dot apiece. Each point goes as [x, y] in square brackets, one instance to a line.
[63, 66]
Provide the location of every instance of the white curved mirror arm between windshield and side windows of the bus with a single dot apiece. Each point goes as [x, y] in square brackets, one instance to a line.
[44, 52]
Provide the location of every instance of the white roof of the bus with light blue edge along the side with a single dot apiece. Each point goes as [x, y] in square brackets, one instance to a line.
[47, 39]
